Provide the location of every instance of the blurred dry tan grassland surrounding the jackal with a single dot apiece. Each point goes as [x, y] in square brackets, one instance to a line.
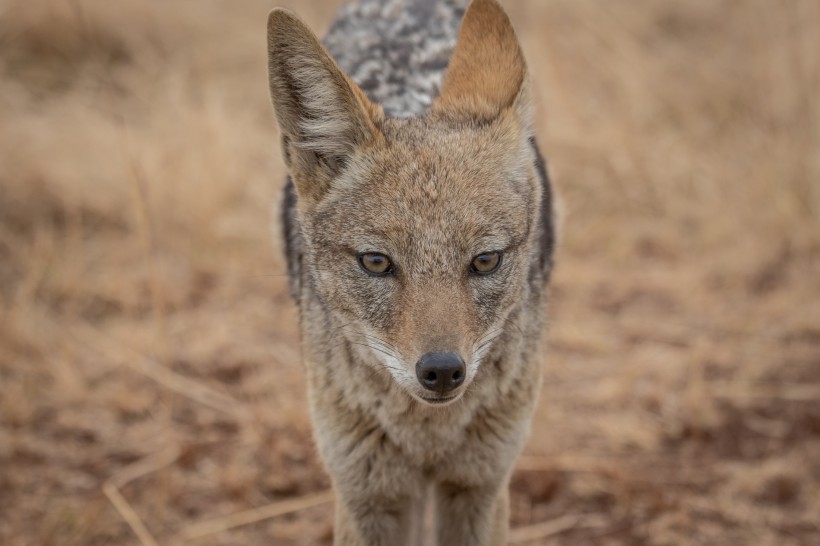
[151, 390]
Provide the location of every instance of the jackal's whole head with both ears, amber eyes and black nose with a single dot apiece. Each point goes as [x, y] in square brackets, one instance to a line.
[418, 232]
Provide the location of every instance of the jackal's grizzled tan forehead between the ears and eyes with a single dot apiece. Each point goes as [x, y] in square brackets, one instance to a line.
[432, 199]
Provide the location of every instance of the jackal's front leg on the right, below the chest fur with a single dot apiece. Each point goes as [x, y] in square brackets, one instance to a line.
[473, 516]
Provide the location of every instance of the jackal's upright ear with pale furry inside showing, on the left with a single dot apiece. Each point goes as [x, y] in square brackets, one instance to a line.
[324, 117]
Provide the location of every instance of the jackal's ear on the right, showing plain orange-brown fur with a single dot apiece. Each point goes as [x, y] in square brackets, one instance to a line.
[487, 74]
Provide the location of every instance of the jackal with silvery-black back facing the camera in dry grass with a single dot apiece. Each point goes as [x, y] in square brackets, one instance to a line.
[419, 239]
